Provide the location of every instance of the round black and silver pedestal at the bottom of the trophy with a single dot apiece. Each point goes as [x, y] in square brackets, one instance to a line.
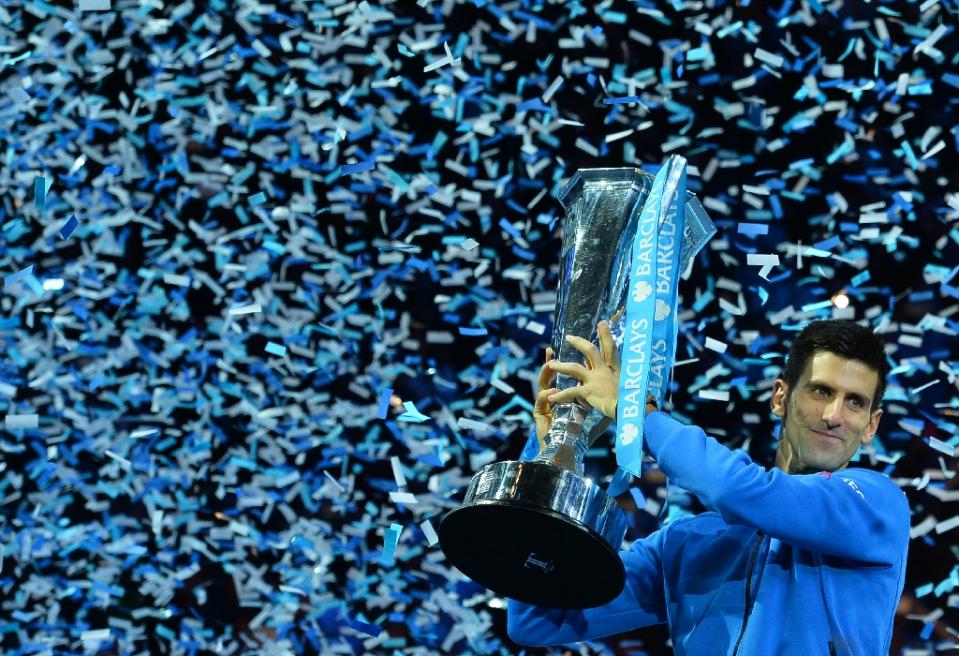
[538, 533]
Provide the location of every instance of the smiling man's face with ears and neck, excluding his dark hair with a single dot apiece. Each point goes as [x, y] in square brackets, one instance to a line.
[826, 415]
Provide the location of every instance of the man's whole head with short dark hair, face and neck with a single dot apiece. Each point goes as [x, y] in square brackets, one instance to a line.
[829, 394]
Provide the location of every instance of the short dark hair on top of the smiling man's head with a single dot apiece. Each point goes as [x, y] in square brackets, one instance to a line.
[842, 337]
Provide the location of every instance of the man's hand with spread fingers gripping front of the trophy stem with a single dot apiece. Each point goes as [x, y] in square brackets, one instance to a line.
[598, 378]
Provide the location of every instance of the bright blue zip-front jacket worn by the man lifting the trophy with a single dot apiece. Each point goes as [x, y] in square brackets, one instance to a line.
[784, 565]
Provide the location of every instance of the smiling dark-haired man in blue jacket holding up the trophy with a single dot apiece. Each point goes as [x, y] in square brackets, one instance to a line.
[804, 559]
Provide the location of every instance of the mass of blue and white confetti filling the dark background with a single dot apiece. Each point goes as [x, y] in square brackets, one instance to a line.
[318, 268]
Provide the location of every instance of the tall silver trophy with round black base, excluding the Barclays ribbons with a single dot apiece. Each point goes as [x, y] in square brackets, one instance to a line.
[539, 531]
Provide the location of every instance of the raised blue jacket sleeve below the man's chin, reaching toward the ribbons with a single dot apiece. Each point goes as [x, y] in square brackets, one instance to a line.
[853, 513]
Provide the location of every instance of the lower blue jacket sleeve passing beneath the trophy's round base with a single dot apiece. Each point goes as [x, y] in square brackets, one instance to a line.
[641, 603]
